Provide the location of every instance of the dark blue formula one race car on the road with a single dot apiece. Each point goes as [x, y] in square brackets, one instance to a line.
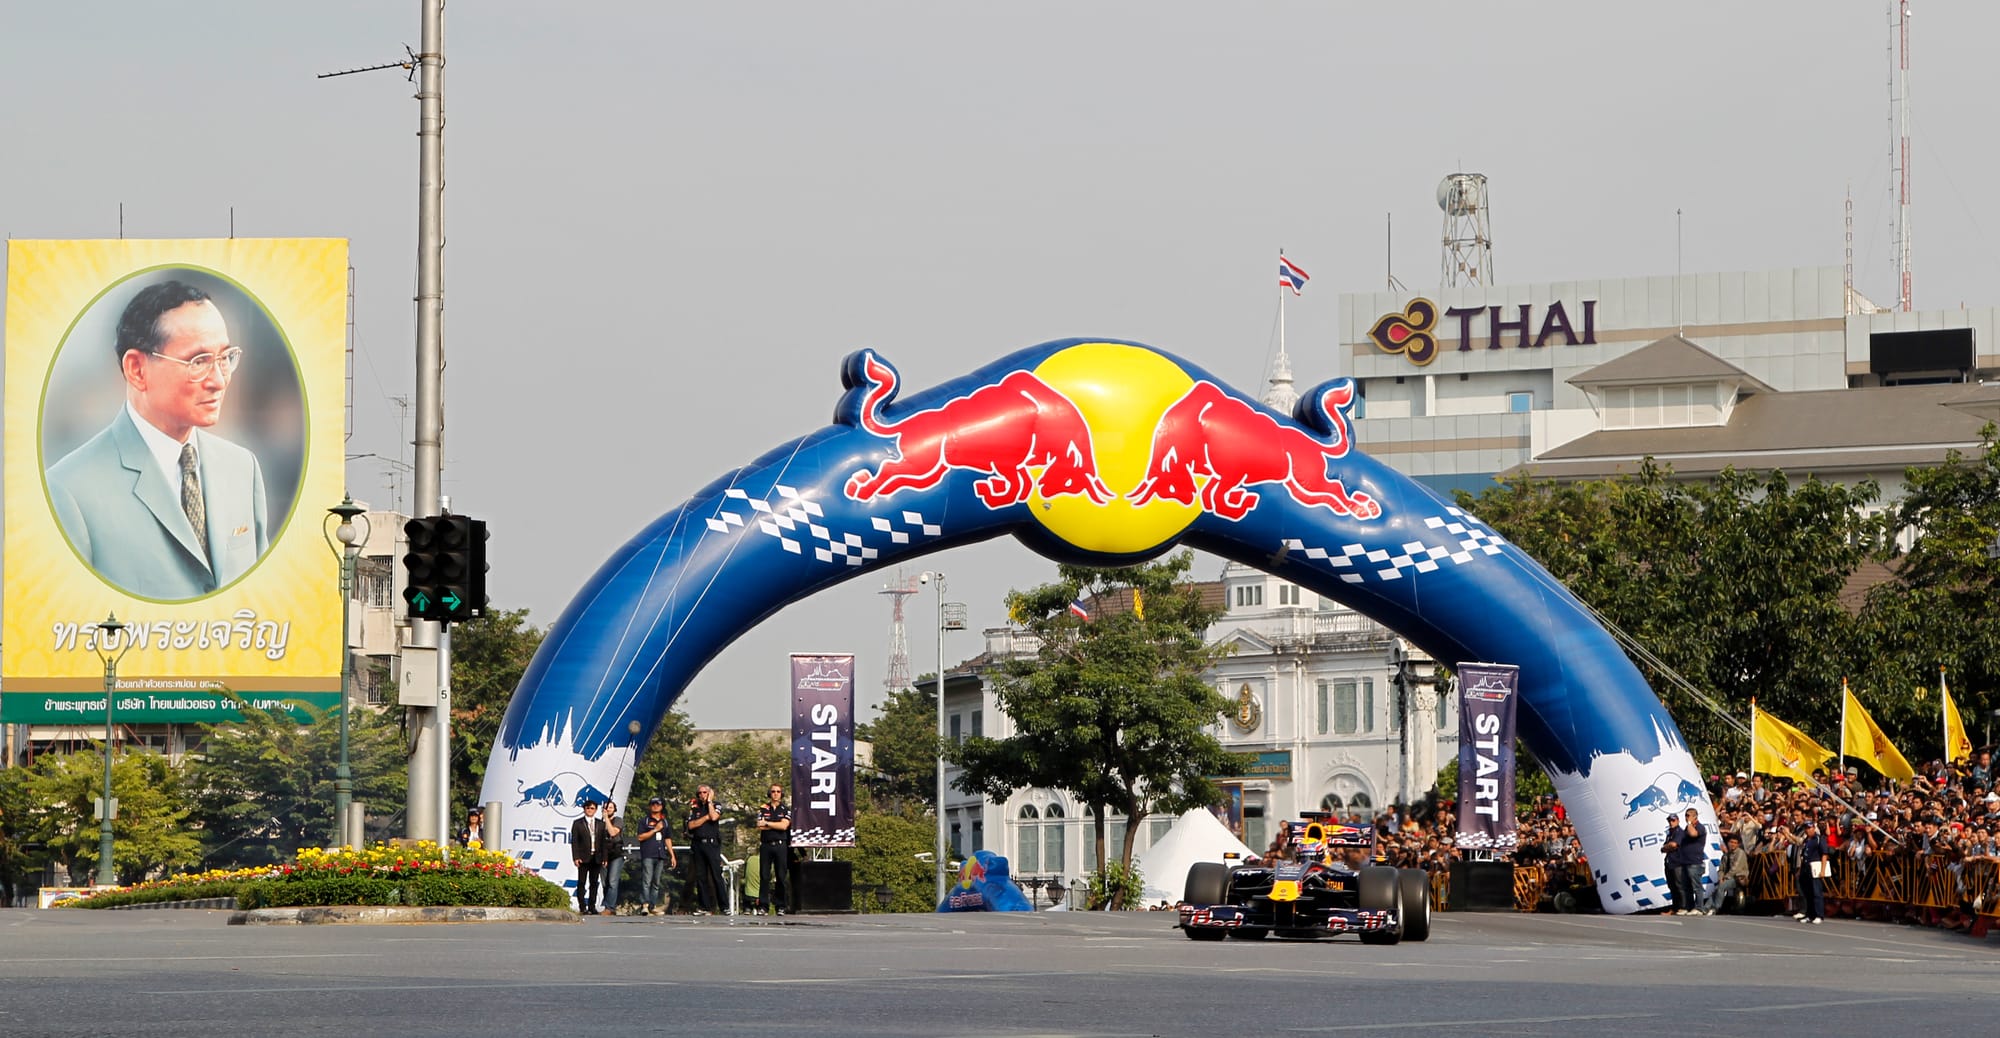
[1329, 889]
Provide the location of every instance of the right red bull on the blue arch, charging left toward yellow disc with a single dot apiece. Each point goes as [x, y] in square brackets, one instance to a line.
[1215, 437]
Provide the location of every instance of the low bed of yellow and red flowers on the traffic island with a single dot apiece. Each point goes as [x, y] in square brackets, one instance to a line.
[379, 875]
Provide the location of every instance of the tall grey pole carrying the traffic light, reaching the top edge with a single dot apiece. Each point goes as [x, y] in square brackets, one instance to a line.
[429, 815]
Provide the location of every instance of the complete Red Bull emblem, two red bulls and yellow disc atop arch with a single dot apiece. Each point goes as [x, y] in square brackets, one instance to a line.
[1113, 447]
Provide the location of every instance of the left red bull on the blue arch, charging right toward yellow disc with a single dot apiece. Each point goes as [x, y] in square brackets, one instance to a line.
[1003, 431]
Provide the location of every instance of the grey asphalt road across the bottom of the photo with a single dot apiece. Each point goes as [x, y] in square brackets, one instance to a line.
[1005, 975]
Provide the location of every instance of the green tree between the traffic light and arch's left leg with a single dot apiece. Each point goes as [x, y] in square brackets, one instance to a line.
[489, 657]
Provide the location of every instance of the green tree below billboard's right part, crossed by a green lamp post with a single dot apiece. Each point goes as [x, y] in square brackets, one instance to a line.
[265, 787]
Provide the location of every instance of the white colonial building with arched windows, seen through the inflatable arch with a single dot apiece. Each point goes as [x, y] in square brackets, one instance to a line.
[1337, 713]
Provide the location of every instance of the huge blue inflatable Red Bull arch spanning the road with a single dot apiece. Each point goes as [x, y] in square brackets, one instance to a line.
[1099, 453]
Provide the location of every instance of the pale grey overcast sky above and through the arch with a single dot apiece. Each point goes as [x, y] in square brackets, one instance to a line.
[669, 223]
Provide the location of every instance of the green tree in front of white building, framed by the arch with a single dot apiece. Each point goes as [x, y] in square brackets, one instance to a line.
[1115, 711]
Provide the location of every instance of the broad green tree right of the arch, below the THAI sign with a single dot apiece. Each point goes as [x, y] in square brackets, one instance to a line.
[1733, 583]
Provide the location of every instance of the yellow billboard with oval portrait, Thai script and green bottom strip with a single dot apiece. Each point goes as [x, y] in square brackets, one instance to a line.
[175, 435]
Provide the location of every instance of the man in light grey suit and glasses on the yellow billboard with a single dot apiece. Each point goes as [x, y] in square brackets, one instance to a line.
[157, 503]
